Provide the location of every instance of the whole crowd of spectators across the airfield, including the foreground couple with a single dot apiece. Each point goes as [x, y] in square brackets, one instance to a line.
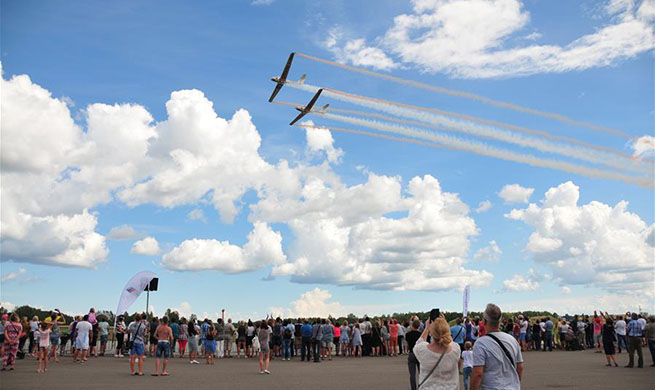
[436, 351]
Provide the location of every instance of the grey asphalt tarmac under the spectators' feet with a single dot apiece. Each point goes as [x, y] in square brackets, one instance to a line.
[543, 370]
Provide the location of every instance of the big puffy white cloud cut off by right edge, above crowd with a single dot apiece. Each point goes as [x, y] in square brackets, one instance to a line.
[594, 244]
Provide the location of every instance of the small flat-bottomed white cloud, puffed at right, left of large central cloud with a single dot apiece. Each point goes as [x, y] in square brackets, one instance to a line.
[264, 247]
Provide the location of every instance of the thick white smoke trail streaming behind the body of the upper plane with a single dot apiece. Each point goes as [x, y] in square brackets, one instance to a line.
[446, 123]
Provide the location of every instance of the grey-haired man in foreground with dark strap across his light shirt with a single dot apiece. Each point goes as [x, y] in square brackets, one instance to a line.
[497, 359]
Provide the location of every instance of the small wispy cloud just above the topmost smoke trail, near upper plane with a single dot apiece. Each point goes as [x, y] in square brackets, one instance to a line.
[356, 52]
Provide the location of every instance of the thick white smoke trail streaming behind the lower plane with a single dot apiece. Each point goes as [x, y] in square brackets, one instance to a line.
[491, 151]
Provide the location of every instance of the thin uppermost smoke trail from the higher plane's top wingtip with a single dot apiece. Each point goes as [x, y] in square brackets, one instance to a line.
[471, 96]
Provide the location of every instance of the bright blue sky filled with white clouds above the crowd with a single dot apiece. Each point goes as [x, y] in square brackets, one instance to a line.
[136, 55]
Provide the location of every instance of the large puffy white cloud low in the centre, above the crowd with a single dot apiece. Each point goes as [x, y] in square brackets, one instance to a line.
[347, 226]
